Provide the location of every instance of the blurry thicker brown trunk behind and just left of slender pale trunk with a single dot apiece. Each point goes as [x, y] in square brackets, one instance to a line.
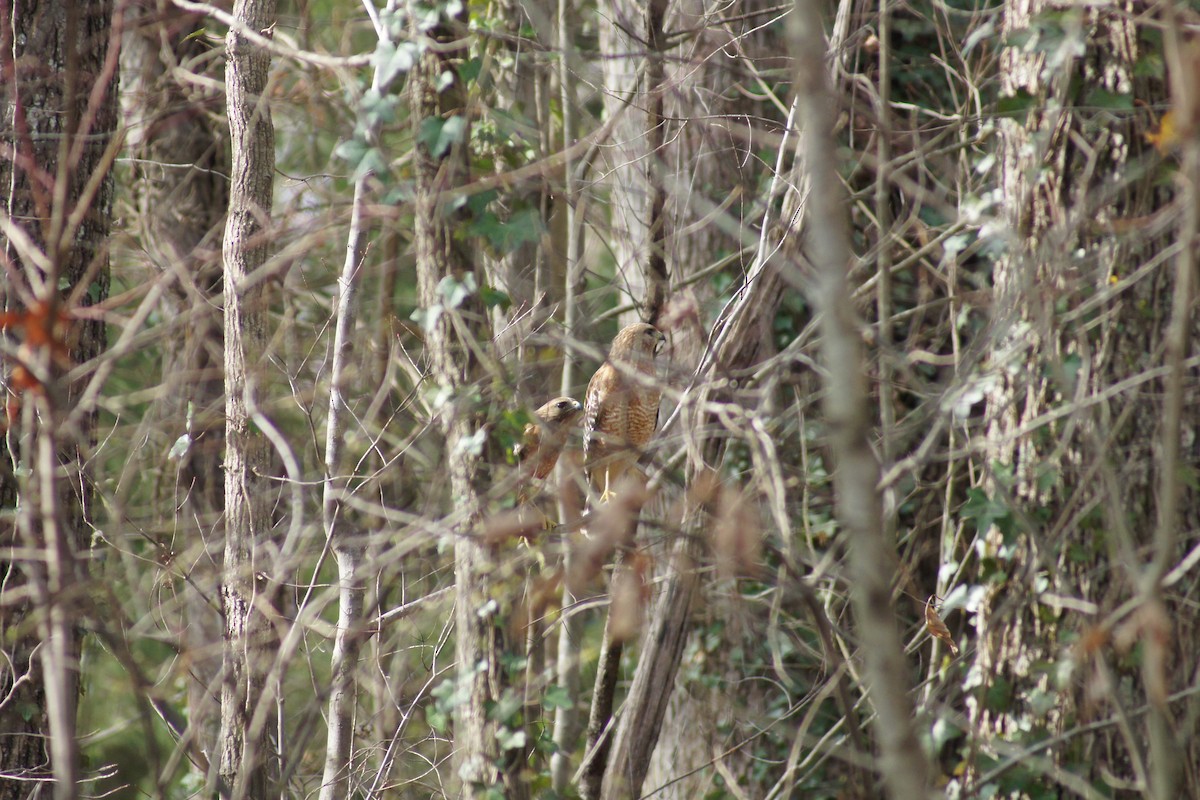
[182, 193]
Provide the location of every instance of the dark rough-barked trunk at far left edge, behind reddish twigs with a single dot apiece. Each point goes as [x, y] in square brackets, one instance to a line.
[59, 117]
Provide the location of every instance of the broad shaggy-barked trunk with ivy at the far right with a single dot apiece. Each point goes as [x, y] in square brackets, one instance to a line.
[1075, 189]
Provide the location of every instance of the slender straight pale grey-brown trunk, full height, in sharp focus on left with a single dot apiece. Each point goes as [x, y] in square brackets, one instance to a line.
[247, 762]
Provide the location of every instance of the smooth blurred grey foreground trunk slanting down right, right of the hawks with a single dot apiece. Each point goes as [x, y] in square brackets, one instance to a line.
[873, 558]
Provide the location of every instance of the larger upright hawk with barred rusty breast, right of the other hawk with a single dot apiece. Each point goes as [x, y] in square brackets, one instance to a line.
[621, 412]
